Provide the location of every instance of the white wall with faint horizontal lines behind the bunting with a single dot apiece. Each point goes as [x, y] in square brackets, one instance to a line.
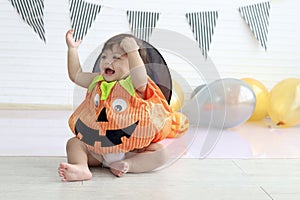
[34, 73]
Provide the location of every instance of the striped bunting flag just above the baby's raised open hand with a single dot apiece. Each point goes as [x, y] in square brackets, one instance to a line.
[82, 15]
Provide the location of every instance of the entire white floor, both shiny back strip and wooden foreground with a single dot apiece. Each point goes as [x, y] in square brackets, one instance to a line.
[252, 161]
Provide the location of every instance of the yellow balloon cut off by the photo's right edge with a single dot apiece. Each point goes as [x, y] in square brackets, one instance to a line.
[284, 106]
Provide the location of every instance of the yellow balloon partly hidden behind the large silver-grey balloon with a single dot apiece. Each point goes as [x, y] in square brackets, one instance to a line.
[261, 93]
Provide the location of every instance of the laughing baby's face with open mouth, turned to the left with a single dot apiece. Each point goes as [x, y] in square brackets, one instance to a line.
[114, 64]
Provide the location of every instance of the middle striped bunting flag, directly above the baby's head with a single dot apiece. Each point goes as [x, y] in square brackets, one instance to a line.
[142, 23]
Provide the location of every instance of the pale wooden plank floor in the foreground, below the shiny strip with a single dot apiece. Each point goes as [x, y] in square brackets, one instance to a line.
[254, 179]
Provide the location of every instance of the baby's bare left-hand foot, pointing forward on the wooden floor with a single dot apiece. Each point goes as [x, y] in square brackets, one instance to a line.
[70, 172]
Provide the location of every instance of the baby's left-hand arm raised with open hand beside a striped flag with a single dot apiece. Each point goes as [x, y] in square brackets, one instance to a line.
[74, 67]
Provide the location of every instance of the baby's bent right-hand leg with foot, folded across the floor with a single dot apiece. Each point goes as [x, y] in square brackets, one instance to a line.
[152, 157]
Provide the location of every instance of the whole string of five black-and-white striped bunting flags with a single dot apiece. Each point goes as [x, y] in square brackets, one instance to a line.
[142, 23]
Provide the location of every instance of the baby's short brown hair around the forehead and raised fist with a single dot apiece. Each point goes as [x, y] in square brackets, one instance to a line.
[117, 40]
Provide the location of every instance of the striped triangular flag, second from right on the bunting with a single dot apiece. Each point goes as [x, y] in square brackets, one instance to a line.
[202, 25]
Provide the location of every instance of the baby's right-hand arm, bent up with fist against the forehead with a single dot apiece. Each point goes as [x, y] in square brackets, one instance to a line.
[137, 67]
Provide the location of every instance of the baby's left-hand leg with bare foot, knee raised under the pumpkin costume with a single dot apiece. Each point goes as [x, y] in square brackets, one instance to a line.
[77, 167]
